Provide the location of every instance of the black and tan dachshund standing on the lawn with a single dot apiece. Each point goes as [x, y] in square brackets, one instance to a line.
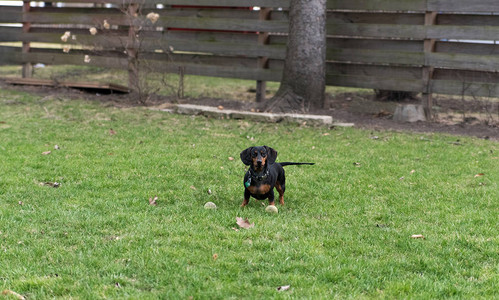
[264, 174]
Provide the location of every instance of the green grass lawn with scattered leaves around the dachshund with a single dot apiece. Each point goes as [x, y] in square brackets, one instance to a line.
[345, 231]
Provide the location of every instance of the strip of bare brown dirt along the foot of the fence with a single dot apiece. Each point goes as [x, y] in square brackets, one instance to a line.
[467, 117]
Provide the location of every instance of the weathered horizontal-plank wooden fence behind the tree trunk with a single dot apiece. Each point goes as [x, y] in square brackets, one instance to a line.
[427, 46]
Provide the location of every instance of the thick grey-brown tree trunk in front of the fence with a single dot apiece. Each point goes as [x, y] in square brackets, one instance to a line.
[304, 76]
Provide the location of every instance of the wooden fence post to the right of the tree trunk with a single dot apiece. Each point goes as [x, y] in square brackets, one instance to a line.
[429, 47]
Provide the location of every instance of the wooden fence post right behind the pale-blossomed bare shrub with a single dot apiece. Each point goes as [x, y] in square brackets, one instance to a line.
[131, 49]
